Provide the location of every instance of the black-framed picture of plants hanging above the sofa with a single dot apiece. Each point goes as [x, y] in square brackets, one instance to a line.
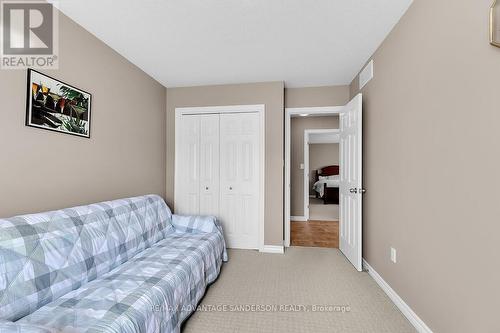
[57, 106]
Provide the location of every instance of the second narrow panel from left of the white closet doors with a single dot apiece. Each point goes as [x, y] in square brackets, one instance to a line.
[209, 164]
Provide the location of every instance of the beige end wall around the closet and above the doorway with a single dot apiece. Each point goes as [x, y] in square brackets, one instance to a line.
[274, 95]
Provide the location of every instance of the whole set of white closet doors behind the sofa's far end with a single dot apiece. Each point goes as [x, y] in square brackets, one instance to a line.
[218, 173]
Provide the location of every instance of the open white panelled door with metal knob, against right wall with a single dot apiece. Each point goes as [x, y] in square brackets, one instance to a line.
[351, 181]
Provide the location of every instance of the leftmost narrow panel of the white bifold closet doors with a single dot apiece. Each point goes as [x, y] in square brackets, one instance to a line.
[187, 199]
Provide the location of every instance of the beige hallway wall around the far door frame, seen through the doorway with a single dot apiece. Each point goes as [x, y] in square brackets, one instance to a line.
[297, 127]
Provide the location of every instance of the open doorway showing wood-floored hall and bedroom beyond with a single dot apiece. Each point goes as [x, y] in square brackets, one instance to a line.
[314, 158]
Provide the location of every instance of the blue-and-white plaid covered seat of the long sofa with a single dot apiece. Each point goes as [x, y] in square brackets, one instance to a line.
[152, 292]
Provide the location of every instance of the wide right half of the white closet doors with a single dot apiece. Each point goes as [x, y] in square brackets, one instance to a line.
[239, 185]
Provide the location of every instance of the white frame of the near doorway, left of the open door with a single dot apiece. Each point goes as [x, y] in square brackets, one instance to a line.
[289, 112]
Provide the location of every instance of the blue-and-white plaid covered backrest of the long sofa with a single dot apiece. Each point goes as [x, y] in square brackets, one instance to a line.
[44, 256]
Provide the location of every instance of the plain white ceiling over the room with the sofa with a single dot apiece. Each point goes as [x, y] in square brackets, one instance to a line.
[201, 42]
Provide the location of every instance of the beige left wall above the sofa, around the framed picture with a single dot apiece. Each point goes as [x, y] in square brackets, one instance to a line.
[43, 170]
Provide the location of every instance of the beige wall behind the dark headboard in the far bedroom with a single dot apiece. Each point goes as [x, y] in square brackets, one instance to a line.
[321, 155]
